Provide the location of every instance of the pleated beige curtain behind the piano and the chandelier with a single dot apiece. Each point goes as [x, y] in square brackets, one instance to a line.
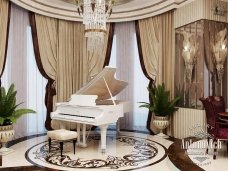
[62, 48]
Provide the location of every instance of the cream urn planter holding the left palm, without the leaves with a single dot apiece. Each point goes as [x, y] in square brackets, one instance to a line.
[6, 134]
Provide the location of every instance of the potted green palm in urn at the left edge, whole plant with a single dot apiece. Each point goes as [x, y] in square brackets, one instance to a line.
[9, 115]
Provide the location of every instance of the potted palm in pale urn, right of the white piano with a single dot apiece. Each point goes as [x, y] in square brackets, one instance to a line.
[161, 105]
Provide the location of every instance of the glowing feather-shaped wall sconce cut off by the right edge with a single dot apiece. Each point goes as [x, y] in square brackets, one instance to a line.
[220, 53]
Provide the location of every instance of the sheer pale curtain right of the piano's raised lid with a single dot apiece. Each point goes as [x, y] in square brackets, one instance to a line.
[125, 58]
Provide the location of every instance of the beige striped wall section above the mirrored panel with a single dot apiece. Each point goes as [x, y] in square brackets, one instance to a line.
[196, 10]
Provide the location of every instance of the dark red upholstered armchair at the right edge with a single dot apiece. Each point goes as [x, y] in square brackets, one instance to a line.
[217, 125]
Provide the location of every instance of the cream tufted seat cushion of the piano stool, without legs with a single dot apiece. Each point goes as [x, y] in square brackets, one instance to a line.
[62, 134]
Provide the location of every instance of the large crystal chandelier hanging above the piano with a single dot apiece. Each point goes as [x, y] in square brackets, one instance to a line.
[95, 13]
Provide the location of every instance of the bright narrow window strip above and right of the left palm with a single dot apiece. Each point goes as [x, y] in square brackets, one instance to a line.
[35, 90]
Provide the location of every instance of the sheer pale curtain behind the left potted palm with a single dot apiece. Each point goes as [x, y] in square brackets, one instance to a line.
[21, 70]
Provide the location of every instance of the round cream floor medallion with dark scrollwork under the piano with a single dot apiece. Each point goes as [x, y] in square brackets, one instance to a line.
[123, 153]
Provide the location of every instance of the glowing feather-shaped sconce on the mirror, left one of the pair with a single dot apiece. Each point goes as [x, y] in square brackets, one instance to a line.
[189, 53]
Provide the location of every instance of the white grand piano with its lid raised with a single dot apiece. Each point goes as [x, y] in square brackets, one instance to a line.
[90, 106]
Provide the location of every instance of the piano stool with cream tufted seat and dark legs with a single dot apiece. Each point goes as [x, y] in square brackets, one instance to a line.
[62, 135]
